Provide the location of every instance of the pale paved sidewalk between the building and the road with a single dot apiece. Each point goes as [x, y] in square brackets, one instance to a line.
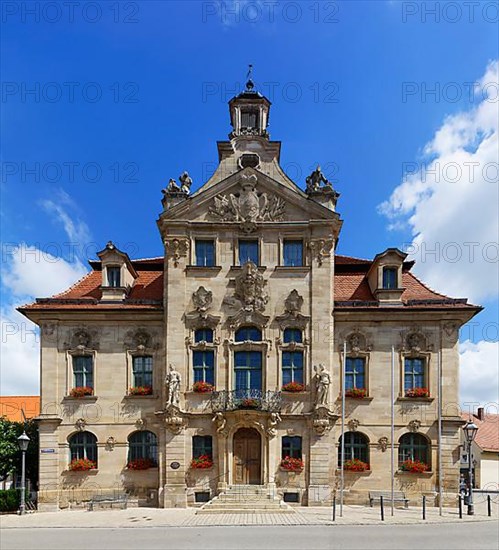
[181, 517]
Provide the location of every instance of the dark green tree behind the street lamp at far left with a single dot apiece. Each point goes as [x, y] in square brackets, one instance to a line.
[10, 455]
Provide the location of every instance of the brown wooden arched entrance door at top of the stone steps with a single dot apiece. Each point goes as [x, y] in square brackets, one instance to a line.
[247, 457]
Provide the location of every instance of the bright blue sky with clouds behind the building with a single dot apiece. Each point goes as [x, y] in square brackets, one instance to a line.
[127, 97]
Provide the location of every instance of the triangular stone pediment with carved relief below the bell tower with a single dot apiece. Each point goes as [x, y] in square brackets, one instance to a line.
[248, 198]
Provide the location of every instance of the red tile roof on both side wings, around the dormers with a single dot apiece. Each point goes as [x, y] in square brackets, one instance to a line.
[351, 289]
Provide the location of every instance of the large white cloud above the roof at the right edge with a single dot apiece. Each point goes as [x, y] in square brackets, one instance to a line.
[450, 201]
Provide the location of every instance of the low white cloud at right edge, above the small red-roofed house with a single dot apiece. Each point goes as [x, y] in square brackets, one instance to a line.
[479, 373]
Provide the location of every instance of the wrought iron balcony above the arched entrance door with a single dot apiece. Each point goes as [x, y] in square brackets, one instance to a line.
[256, 400]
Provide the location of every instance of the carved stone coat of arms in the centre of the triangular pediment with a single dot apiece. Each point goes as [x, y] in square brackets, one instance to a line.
[248, 207]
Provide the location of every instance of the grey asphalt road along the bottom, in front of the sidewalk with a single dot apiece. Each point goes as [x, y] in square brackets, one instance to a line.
[470, 536]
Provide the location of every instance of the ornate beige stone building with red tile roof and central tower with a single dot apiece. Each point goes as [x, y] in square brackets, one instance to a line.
[220, 363]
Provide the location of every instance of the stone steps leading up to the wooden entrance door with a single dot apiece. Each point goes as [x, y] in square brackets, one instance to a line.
[246, 499]
